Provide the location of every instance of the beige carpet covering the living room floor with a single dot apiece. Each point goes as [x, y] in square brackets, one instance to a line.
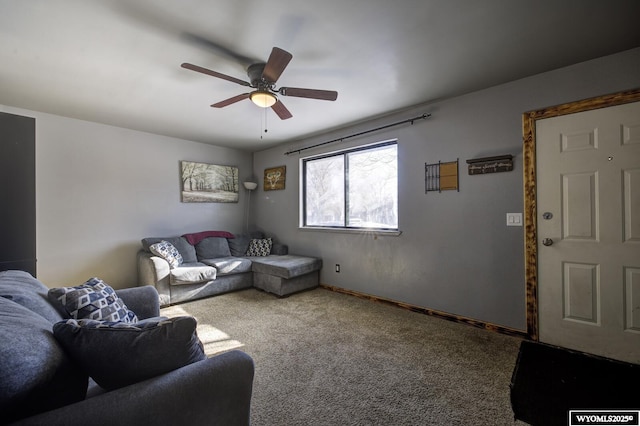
[325, 358]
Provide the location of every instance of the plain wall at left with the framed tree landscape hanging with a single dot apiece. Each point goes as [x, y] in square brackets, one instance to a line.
[100, 189]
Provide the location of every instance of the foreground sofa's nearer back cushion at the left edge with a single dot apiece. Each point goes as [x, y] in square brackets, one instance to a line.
[35, 373]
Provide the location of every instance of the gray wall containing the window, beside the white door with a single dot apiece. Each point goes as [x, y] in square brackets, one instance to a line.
[455, 253]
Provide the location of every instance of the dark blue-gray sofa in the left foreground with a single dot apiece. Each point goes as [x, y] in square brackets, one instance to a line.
[51, 366]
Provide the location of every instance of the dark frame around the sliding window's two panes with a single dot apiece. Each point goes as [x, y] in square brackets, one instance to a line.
[344, 153]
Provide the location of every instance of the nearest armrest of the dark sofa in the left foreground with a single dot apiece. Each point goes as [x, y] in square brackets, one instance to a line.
[215, 391]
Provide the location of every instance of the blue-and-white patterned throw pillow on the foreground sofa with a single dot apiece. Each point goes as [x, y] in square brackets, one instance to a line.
[94, 300]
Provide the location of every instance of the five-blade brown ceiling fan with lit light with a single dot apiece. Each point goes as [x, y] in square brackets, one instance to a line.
[263, 77]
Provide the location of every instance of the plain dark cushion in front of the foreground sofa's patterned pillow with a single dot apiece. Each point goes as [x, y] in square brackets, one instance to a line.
[117, 354]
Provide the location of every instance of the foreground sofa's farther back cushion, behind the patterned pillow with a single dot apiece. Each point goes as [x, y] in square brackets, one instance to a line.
[27, 291]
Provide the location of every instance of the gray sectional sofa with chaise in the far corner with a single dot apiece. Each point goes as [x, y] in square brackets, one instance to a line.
[216, 262]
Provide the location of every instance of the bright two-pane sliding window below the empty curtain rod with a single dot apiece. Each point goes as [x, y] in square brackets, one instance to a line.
[357, 188]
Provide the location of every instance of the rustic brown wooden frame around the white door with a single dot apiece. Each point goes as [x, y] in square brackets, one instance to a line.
[530, 191]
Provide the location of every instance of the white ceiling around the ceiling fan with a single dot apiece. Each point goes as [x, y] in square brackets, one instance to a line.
[118, 62]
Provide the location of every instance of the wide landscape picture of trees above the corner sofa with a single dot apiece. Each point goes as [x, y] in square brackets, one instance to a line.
[208, 183]
